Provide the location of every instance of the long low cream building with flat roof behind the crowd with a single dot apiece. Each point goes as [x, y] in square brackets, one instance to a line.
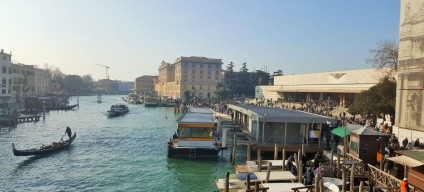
[338, 86]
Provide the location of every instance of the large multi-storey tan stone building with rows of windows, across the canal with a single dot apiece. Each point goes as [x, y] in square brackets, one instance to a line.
[197, 76]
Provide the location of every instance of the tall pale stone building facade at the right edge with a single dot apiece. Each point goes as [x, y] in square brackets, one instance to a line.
[409, 119]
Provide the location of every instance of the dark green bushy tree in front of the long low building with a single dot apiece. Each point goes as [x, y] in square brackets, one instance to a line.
[379, 99]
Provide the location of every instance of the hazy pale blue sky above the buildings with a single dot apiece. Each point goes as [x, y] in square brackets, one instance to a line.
[133, 37]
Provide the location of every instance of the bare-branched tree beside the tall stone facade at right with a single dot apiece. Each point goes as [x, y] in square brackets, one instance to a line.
[384, 56]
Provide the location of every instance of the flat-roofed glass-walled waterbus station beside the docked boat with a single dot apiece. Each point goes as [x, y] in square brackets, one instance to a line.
[268, 126]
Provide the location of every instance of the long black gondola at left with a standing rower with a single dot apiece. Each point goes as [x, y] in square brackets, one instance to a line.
[44, 150]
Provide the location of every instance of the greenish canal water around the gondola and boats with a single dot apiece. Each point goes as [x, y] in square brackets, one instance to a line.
[126, 153]
